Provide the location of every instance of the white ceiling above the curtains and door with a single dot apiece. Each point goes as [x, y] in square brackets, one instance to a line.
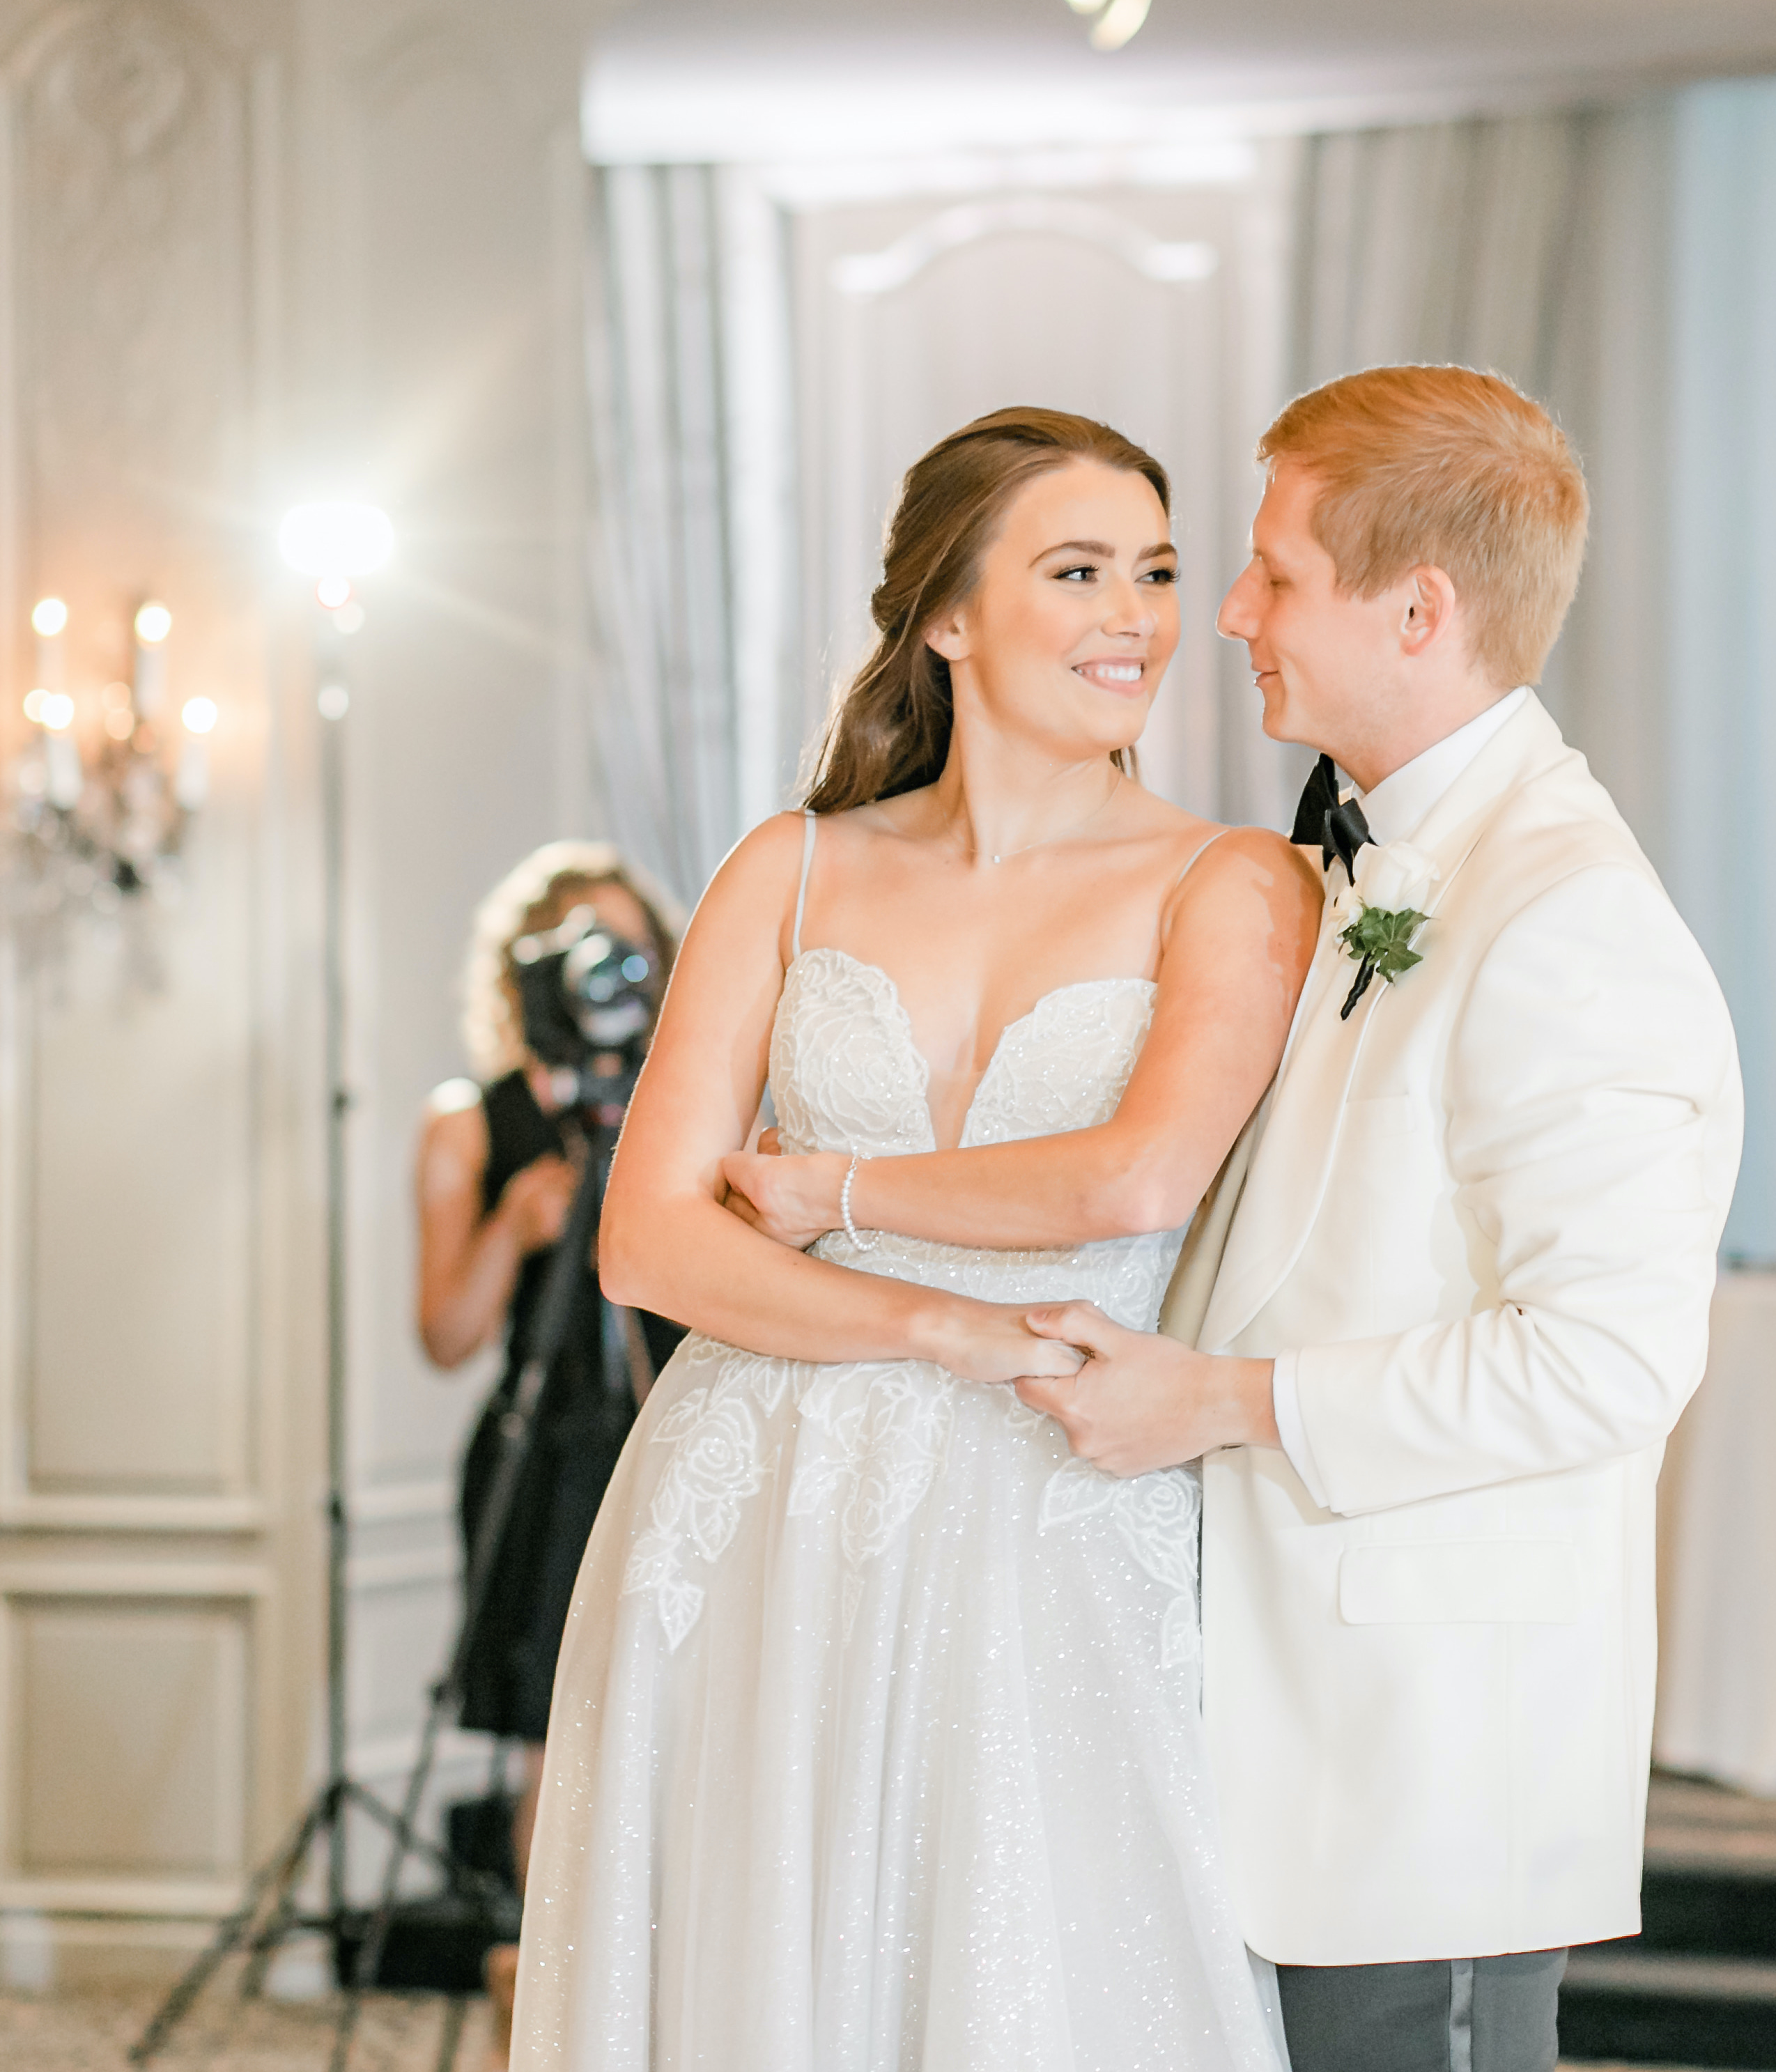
[791, 78]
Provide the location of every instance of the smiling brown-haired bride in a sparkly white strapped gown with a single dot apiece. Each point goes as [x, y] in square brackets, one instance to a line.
[876, 1742]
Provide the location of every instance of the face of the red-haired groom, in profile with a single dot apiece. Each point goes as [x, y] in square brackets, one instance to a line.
[1323, 660]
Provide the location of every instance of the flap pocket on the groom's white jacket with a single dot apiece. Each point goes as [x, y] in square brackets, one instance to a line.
[1460, 1582]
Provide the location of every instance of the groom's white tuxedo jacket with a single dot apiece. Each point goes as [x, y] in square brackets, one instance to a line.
[1487, 1211]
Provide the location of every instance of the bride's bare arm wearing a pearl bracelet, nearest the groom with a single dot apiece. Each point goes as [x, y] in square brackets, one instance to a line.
[1234, 952]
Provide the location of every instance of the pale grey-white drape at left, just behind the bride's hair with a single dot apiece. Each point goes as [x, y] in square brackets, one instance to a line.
[691, 511]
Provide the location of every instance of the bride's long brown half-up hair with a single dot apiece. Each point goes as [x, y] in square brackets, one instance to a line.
[890, 730]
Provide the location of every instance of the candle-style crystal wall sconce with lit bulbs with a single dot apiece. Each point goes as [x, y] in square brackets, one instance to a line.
[107, 784]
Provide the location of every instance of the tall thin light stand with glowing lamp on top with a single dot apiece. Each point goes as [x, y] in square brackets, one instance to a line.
[331, 544]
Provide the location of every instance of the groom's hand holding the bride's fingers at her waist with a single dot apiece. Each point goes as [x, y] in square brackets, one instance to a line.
[1143, 1402]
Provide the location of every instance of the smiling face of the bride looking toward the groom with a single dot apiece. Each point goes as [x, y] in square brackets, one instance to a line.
[1075, 618]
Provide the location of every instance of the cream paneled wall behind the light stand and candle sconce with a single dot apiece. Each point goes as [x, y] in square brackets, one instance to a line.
[254, 250]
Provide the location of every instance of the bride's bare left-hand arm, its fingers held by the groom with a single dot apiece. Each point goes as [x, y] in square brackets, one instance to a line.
[666, 1242]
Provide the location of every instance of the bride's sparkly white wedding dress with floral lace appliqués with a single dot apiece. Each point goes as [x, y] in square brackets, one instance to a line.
[876, 1742]
